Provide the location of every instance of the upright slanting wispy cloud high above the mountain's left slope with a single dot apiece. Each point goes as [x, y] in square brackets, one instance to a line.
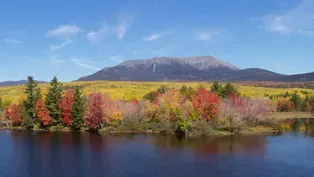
[124, 22]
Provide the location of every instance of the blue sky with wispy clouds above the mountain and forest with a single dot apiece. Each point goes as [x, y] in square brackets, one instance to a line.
[70, 39]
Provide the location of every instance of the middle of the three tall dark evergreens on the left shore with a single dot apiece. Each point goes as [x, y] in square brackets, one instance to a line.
[53, 99]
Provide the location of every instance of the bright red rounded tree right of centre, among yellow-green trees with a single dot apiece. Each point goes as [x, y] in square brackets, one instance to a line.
[205, 103]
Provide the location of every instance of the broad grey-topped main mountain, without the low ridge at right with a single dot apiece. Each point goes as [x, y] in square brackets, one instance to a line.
[161, 68]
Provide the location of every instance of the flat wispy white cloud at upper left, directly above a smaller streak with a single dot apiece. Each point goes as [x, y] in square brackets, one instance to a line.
[64, 31]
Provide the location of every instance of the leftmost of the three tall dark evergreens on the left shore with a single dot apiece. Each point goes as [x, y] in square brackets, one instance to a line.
[28, 108]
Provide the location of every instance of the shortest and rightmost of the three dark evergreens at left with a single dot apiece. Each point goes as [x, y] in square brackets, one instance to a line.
[77, 112]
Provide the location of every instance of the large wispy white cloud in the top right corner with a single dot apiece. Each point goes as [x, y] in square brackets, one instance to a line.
[298, 20]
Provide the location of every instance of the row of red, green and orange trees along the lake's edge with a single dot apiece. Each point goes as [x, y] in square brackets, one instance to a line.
[186, 110]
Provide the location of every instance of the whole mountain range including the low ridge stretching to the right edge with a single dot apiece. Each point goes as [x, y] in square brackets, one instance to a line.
[203, 68]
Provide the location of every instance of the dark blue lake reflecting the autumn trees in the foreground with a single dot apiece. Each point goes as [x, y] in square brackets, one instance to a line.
[31, 154]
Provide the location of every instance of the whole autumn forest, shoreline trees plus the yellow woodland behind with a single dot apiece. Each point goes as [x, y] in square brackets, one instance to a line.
[198, 109]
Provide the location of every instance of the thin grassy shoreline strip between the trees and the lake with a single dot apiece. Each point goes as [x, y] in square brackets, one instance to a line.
[257, 130]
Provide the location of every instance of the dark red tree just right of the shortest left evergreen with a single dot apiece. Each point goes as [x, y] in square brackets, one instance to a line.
[95, 114]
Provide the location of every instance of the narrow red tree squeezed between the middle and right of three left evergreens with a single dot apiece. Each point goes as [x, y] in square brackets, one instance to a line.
[66, 107]
